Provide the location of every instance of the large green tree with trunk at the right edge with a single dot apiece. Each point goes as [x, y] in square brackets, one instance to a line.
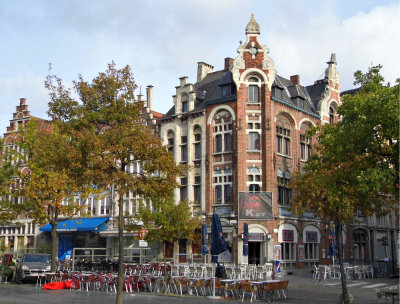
[355, 167]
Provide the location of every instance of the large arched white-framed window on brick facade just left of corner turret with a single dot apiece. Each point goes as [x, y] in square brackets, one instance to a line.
[223, 132]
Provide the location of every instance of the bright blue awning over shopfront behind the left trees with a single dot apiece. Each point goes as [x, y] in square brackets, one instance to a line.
[80, 224]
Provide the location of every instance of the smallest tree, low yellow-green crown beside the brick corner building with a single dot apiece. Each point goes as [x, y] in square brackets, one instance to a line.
[168, 222]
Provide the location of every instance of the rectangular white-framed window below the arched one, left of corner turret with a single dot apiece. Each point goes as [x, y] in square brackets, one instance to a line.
[223, 186]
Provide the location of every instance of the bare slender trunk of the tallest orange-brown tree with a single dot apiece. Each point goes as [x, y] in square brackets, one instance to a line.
[120, 280]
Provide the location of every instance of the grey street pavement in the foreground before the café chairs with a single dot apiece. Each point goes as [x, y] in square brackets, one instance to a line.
[302, 290]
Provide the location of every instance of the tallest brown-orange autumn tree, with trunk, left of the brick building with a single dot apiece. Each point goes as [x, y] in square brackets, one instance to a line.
[105, 126]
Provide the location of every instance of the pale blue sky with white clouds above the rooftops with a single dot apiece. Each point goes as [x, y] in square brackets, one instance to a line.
[163, 40]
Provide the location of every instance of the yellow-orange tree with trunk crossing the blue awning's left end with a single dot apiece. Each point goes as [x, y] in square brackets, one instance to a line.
[49, 190]
